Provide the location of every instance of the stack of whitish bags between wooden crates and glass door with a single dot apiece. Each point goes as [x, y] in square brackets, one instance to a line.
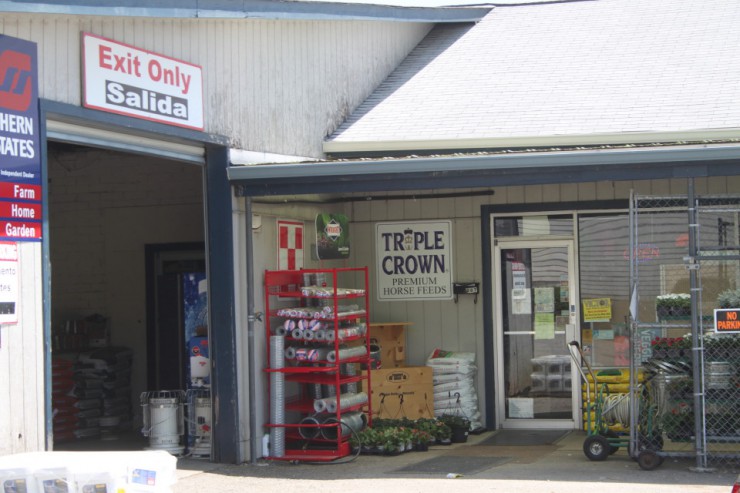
[454, 385]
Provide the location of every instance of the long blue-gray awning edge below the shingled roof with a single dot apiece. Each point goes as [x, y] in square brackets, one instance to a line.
[487, 170]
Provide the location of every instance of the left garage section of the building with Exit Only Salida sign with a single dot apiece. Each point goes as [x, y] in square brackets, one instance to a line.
[141, 210]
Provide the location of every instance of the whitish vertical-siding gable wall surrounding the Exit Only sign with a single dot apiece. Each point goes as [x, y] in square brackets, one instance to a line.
[272, 86]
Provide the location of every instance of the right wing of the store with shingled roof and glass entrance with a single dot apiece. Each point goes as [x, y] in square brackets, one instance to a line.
[535, 164]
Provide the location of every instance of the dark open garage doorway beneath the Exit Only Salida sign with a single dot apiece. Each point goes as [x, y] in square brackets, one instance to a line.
[105, 207]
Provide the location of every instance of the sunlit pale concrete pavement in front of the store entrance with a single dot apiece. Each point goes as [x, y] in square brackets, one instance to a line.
[554, 468]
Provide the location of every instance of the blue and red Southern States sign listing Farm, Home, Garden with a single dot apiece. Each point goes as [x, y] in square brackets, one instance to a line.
[20, 156]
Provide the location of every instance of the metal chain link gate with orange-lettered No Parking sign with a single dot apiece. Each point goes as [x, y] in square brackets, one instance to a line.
[685, 375]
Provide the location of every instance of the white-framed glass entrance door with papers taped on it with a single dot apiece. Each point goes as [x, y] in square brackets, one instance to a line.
[536, 384]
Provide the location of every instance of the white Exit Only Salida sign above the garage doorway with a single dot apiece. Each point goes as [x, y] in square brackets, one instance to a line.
[122, 79]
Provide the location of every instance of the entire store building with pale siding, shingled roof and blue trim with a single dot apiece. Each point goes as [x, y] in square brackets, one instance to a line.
[530, 168]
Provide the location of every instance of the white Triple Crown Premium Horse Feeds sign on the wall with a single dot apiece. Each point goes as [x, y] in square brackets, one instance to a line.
[414, 260]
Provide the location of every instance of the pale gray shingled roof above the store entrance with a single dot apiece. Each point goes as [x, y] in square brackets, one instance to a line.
[623, 70]
